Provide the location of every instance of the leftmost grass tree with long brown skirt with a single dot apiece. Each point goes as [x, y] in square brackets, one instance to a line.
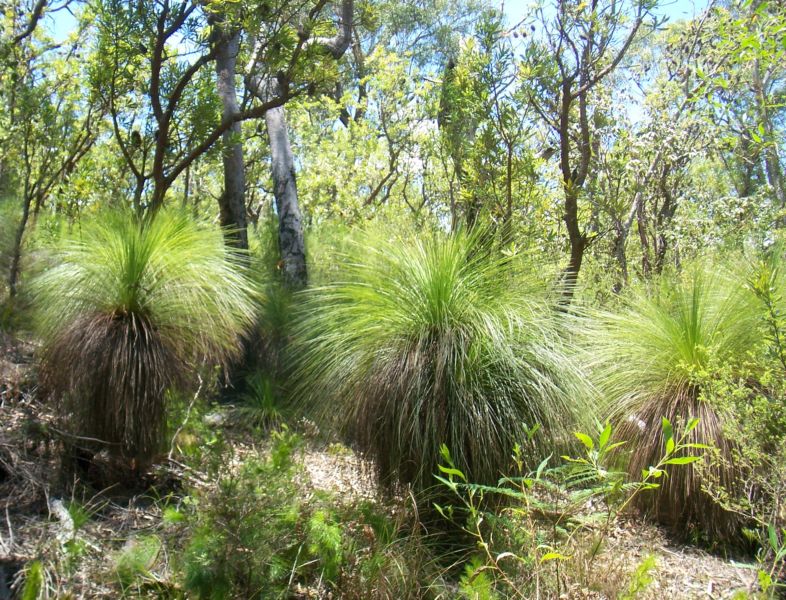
[126, 310]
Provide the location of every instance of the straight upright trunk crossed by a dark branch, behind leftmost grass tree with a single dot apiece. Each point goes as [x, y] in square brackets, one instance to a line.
[232, 201]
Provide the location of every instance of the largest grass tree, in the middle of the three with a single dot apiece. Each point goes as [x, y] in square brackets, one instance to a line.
[436, 340]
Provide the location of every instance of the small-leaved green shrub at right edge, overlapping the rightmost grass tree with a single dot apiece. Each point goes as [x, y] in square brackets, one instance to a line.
[754, 396]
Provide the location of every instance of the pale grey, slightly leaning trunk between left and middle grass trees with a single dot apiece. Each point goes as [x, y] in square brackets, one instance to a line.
[290, 227]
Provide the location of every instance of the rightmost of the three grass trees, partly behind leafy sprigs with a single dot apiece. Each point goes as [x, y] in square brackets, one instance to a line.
[653, 358]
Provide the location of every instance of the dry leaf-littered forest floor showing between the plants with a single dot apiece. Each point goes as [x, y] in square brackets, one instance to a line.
[35, 524]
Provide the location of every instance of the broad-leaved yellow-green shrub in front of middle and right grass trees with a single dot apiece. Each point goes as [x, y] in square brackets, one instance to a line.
[529, 547]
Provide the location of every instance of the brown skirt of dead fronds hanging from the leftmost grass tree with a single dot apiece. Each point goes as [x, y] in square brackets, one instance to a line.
[108, 374]
